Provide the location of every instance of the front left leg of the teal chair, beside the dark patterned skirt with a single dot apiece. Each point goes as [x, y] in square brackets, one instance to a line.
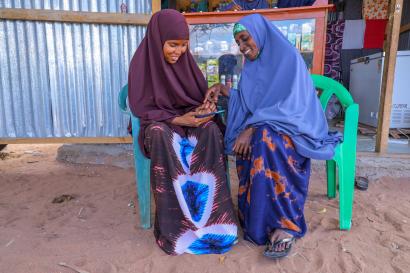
[142, 175]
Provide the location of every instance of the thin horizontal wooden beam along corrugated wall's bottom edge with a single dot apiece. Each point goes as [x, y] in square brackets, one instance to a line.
[66, 140]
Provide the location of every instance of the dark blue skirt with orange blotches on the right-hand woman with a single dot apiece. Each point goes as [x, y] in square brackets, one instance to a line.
[273, 186]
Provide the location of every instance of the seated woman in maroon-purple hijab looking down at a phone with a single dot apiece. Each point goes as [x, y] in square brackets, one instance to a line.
[194, 211]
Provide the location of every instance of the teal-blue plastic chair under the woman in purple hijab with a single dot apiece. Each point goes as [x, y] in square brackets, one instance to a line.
[142, 165]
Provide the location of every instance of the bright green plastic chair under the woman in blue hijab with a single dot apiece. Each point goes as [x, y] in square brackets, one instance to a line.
[345, 154]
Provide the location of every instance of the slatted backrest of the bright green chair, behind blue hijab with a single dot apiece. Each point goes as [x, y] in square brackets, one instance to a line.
[331, 87]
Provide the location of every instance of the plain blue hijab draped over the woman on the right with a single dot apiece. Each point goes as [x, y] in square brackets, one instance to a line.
[276, 89]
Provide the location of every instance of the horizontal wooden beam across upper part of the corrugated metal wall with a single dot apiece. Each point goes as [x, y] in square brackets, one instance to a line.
[75, 16]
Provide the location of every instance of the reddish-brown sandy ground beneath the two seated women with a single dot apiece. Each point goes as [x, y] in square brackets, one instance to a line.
[99, 232]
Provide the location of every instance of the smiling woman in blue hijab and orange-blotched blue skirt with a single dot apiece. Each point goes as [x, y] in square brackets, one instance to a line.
[275, 126]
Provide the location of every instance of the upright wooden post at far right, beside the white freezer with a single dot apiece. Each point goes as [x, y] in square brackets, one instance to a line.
[393, 32]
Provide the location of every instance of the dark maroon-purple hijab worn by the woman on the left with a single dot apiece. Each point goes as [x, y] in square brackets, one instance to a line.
[157, 90]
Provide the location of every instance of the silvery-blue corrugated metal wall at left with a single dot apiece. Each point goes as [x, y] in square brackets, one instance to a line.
[62, 79]
